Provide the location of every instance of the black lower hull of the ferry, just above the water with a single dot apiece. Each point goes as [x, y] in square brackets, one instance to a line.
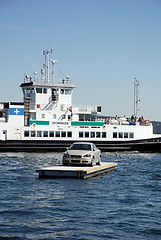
[148, 145]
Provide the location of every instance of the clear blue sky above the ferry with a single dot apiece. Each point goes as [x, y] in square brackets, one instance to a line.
[103, 45]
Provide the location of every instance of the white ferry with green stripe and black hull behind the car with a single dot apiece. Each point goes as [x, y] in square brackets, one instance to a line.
[47, 120]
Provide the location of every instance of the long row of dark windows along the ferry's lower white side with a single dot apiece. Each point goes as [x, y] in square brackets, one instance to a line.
[81, 134]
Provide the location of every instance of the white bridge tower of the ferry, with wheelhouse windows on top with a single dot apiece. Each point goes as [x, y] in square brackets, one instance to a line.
[49, 101]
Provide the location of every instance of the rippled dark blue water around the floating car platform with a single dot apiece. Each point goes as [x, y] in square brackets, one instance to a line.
[121, 204]
